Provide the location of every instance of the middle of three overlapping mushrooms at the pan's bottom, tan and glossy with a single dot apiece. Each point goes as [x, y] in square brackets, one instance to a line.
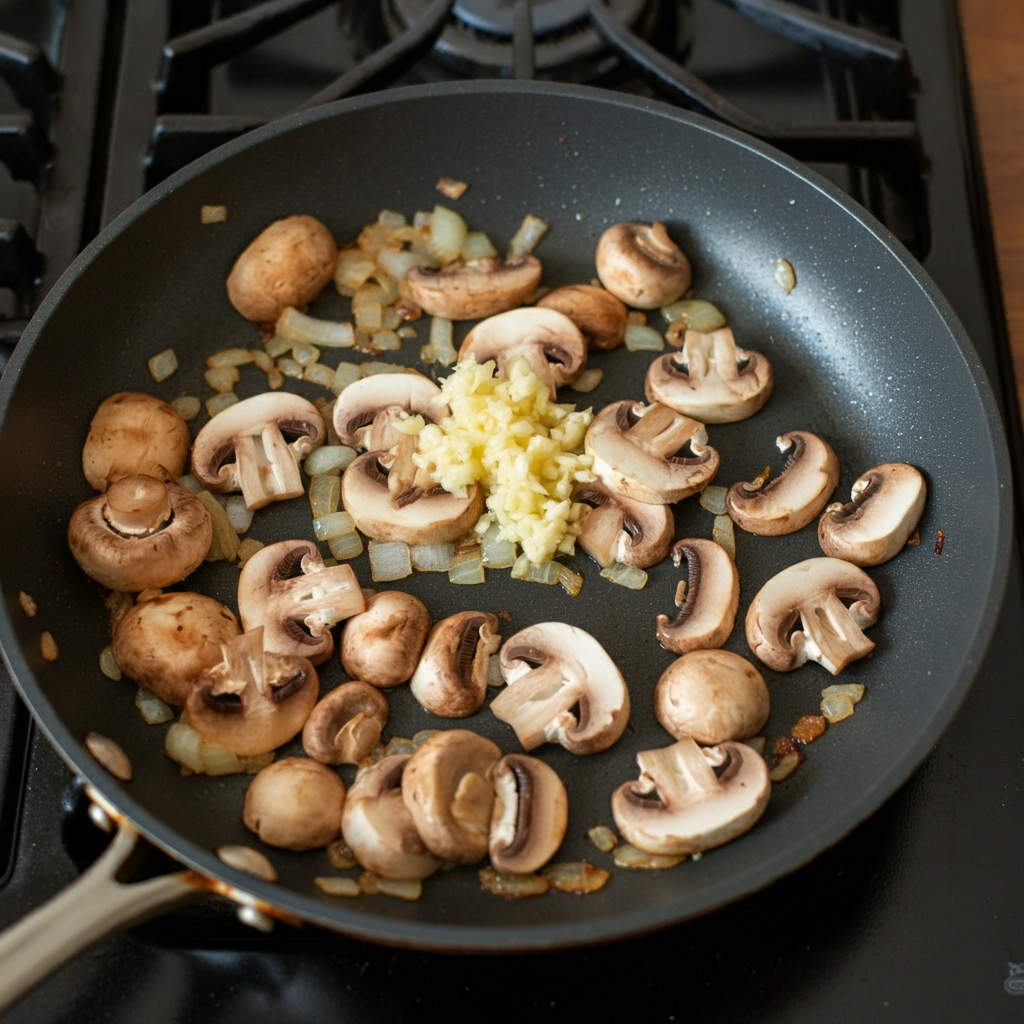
[447, 791]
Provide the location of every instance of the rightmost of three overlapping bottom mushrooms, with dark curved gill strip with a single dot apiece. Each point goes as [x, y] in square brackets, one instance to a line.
[530, 817]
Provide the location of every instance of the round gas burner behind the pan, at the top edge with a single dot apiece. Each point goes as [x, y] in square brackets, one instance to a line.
[479, 39]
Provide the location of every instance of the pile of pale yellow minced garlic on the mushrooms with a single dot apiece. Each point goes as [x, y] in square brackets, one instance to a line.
[525, 449]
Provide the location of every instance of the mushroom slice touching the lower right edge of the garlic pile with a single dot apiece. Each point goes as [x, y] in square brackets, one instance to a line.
[614, 529]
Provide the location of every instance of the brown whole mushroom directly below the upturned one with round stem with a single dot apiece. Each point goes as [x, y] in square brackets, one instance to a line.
[165, 643]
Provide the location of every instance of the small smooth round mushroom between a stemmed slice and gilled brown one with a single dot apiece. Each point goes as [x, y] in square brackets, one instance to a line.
[382, 646]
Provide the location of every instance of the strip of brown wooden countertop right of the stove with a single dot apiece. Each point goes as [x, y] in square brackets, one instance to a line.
[994, 40]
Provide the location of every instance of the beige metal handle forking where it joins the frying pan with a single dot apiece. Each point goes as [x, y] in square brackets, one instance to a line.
[91, 909]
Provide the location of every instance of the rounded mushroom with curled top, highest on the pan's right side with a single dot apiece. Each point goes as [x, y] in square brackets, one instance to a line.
[642, 266]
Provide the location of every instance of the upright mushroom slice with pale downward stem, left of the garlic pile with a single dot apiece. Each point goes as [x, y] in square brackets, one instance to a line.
[269, 435]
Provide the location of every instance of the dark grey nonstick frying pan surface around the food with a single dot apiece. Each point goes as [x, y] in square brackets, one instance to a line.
[867, 354]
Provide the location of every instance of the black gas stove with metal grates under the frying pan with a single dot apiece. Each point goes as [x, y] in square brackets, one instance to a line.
[920, 911]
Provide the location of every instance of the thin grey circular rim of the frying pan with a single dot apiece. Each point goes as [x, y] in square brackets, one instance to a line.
[509, 938]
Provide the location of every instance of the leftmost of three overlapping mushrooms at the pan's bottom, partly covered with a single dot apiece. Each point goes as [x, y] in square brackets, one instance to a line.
[378, 827]
